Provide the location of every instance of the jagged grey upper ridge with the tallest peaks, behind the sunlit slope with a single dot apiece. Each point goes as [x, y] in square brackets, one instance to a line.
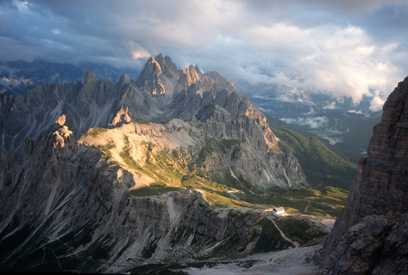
[98, 103]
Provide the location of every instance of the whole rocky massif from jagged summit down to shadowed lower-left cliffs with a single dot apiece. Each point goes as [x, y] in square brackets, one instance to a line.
[102, 177]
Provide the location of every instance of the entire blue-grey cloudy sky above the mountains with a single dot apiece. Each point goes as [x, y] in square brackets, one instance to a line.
[351, 48]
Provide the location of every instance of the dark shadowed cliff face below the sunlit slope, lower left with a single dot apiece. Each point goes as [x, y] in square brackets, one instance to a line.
[64, 207]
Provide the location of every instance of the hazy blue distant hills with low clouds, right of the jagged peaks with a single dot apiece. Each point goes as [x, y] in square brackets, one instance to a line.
[343, 125]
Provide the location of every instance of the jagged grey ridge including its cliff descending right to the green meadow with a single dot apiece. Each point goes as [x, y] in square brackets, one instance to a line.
[160, 94]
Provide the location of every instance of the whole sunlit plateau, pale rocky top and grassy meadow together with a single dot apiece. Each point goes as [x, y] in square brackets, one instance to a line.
[159, 166]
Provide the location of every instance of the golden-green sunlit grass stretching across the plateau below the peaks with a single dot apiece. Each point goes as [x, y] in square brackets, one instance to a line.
[177, 169]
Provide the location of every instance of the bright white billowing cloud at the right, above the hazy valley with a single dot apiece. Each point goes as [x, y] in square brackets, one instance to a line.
[341, 61]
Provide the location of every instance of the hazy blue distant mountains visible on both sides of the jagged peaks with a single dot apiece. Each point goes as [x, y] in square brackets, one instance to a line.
[343, 125]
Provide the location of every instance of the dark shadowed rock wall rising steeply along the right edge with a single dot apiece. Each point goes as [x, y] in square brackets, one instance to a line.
[371, 234]
